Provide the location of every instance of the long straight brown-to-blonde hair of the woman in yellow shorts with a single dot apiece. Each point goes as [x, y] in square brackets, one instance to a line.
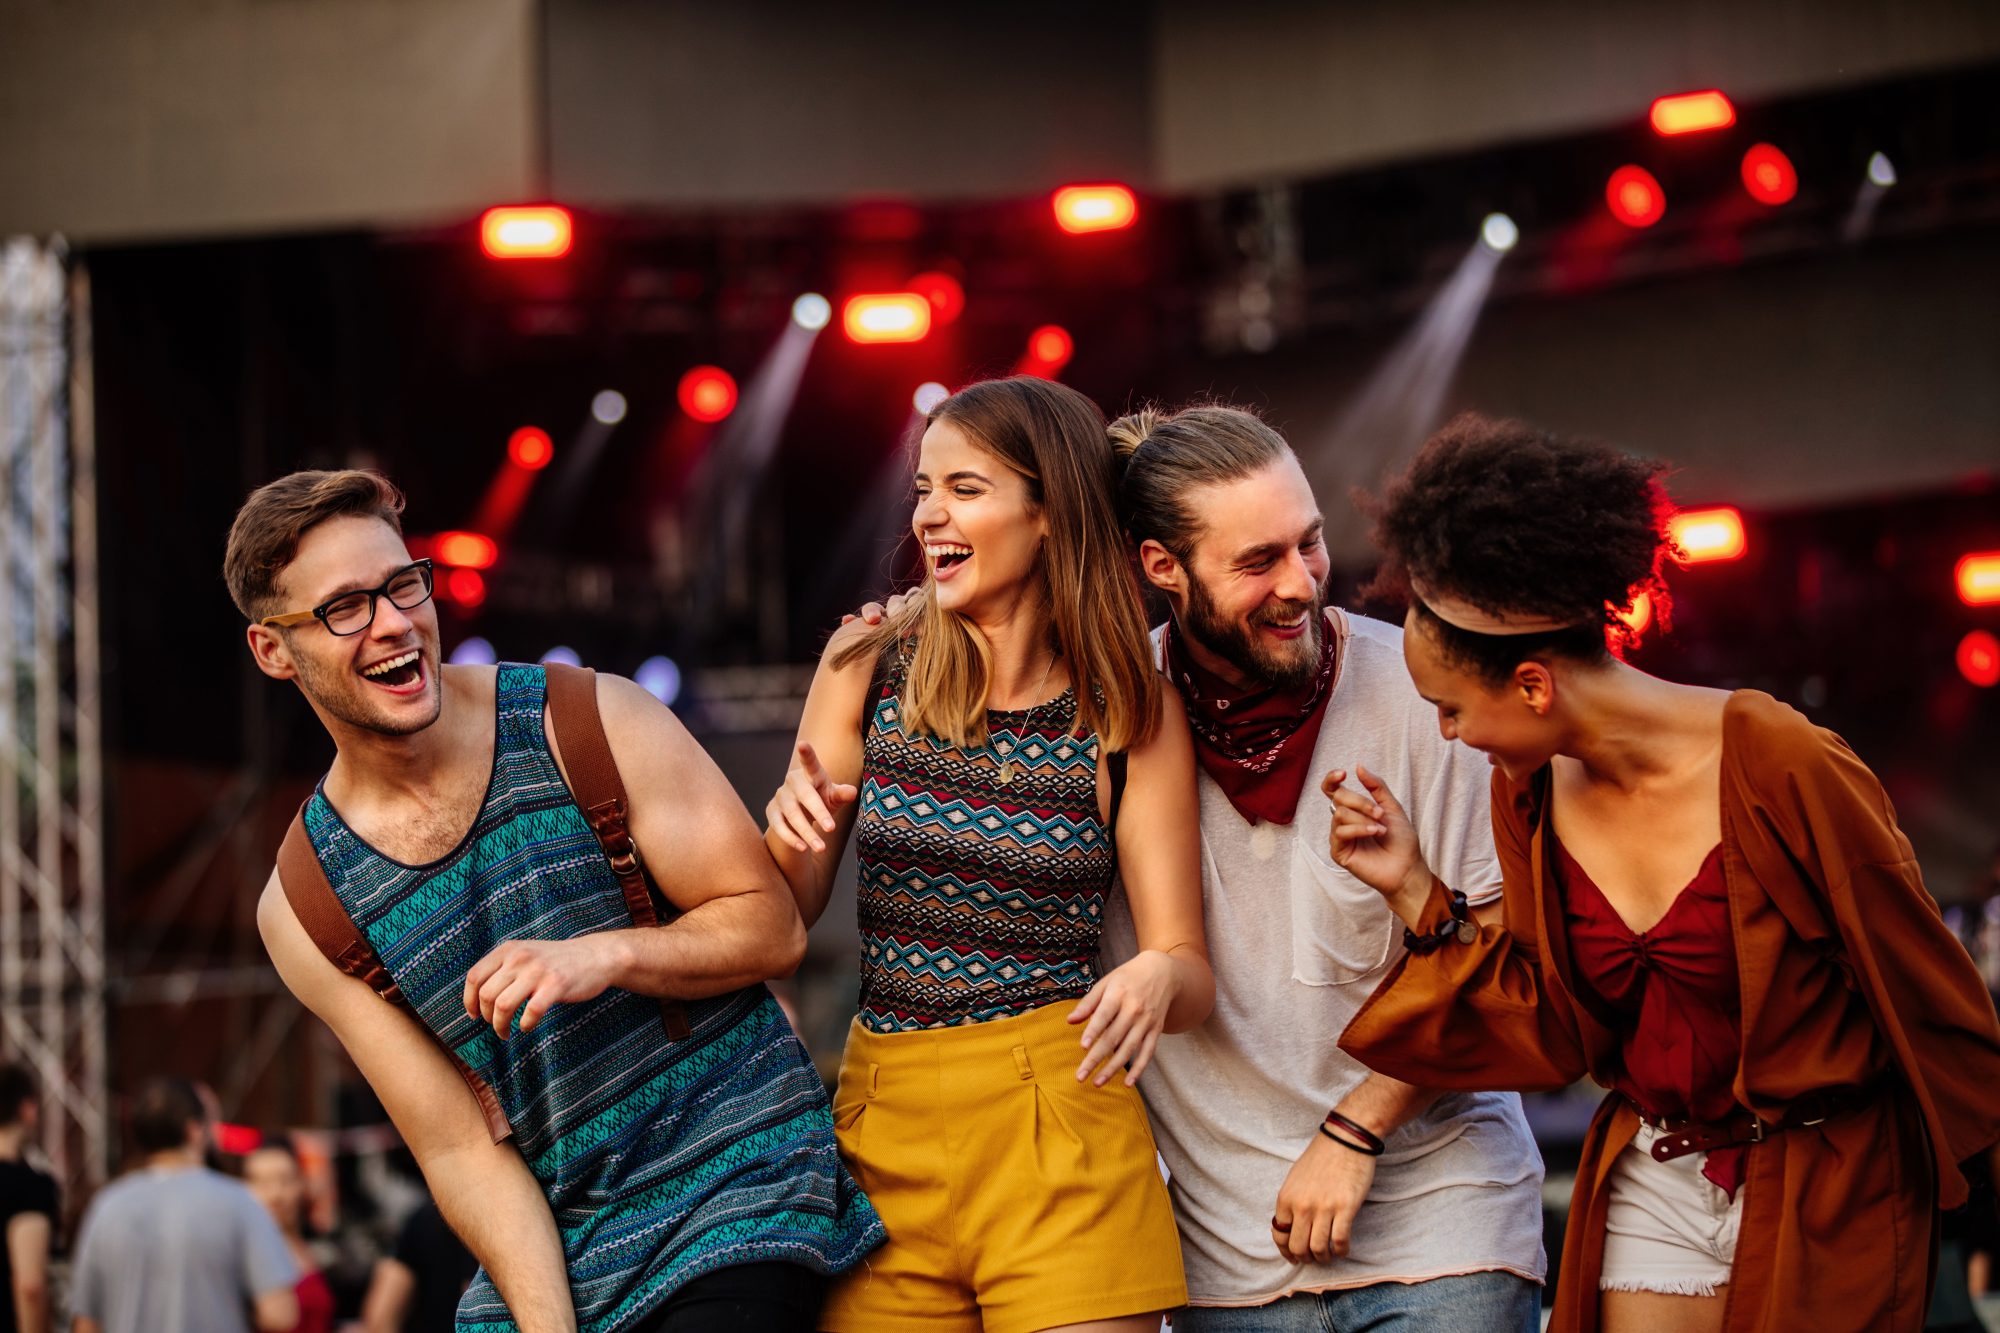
[1055, 439]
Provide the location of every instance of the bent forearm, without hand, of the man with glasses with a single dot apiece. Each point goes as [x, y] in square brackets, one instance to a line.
[723, 946]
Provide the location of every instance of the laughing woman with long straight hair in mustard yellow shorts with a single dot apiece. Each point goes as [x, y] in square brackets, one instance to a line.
[1005, 754]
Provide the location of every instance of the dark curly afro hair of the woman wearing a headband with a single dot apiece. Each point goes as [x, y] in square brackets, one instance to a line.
[1519, 521]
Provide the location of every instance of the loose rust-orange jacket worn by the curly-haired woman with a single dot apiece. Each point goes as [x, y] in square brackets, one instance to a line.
[1849, 982]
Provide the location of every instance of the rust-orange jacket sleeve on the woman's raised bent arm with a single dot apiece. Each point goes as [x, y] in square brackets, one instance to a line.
[1477, 1016]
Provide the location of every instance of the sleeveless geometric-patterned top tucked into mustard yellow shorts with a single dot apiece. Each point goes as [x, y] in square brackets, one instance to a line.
[977, 898]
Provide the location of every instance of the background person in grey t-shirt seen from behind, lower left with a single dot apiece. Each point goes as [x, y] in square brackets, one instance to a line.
[177, 1248]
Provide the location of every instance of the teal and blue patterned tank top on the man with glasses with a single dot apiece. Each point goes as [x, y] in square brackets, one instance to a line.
[661, 1160]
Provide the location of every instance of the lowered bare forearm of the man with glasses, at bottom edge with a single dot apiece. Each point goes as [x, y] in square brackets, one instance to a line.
[497, 1208]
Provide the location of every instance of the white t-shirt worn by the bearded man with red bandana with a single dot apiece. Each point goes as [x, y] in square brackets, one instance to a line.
[1297, 946]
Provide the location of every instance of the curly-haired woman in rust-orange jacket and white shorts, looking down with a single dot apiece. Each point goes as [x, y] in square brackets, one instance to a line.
[1709, 910]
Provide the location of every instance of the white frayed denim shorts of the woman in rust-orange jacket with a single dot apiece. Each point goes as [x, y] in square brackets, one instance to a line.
[1669, 1228]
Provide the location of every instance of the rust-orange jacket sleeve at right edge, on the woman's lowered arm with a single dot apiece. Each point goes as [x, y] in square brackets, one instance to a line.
[1923, 990]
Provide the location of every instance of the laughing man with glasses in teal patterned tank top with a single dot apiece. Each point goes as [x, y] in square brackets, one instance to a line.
[647, 1182]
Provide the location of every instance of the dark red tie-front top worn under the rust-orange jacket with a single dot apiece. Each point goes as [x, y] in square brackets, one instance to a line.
[1671, 996]
